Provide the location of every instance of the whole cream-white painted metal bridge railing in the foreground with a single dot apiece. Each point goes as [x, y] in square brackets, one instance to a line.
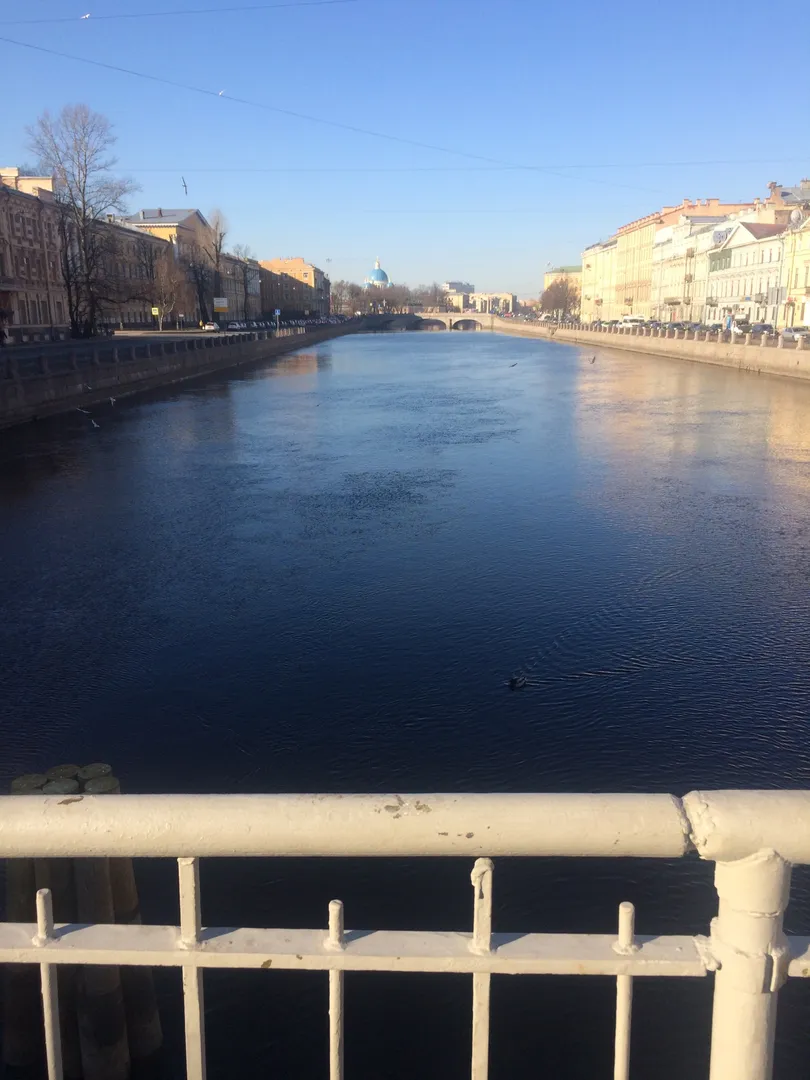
[754, 838]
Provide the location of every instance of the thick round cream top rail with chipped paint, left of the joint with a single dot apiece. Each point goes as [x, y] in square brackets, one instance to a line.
[222, 826]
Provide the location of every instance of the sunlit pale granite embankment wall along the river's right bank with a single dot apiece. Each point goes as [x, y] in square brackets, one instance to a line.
[760, 356]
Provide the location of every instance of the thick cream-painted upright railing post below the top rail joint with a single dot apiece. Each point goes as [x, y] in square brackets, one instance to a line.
[752, 955]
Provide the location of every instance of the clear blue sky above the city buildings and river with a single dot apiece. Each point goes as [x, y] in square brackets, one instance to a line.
[609, 112]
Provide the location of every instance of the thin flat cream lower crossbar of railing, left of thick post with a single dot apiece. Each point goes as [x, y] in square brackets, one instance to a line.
[364, 951]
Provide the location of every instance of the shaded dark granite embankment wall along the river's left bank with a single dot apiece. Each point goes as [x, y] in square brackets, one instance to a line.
[59, 381]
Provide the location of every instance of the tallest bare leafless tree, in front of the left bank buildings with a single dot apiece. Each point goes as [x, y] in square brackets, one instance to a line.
[75, 148]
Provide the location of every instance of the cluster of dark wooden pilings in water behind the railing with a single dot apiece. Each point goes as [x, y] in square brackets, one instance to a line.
[109, 1016]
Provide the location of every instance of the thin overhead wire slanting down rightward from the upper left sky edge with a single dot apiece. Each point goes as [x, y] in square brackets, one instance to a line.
[163, 80]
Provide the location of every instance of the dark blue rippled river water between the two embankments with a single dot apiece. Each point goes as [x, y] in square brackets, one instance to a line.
[319, 575]
